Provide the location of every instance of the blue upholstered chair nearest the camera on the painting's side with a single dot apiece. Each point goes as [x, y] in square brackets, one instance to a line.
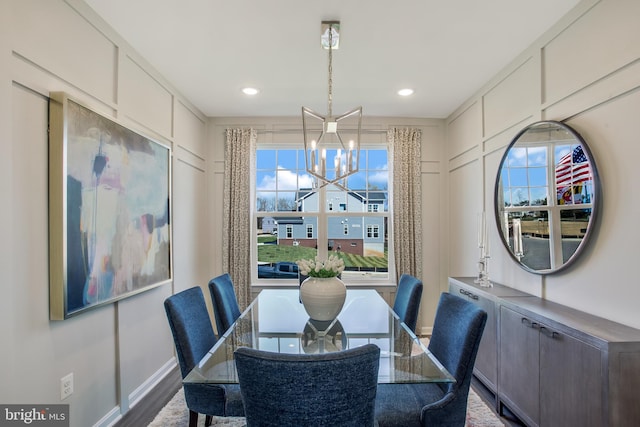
[193, 337]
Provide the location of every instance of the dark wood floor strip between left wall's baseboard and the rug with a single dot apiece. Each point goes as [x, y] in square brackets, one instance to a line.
[145, 410]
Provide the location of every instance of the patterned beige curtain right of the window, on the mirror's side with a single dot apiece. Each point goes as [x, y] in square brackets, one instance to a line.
[404, 146]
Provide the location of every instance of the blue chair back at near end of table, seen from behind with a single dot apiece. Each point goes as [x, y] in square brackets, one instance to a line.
[327, 389]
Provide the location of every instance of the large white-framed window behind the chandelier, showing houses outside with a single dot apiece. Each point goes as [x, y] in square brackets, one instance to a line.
[351, 223]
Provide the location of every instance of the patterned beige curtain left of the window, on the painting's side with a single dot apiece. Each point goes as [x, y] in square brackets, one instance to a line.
[239, 156]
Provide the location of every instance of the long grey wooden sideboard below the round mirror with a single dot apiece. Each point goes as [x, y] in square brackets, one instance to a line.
[552, 365]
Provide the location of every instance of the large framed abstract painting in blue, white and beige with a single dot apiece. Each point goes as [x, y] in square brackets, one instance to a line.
[109, 200]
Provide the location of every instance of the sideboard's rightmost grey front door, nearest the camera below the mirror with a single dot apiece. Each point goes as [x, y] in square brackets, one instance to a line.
[570, 381]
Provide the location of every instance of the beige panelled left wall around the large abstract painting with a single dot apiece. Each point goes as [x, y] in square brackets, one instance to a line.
[117, 352]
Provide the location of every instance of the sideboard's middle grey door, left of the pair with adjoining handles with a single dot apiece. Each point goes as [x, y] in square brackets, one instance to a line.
[519, 365]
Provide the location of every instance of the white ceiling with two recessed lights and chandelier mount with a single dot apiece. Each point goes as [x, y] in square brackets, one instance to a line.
[444, 49]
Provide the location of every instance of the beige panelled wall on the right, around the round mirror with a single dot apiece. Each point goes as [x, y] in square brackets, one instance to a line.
[585, 71]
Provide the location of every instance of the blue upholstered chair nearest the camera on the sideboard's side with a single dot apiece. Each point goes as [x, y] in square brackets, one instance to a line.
[456, 335]
